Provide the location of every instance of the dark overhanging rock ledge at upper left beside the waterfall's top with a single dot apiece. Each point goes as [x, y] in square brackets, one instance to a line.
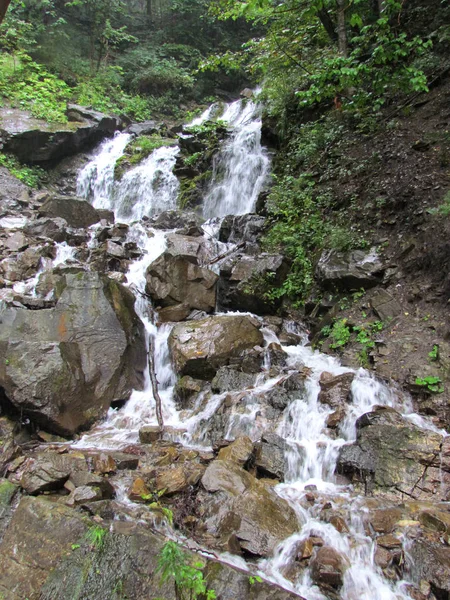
[35, 141]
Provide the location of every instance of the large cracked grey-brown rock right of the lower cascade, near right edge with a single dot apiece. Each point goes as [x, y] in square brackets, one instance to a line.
[391, 452]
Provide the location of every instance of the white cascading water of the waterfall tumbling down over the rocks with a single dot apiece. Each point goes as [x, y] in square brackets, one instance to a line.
[311, 453]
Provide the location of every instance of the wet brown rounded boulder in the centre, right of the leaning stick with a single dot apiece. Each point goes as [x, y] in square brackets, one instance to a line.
[200, 348]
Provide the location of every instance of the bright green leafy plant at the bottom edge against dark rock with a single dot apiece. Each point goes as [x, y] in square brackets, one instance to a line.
[174, 564]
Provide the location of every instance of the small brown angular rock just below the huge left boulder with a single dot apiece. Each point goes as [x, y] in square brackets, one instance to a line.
[49, 471]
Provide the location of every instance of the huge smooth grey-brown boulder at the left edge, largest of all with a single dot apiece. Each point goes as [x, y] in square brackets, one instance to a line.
[65, 365]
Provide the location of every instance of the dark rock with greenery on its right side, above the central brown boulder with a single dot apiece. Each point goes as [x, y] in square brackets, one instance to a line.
[245, 280]
